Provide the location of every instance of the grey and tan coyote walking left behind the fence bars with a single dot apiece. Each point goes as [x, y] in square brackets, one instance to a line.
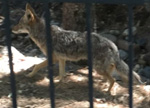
[72, 46]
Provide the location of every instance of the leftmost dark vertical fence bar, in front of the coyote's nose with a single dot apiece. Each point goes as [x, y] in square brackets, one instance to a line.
[8, 42]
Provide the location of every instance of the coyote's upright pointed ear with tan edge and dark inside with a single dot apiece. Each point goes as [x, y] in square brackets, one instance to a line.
[30, 12]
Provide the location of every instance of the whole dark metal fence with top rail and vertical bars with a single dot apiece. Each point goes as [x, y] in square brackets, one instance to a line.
[129, 3]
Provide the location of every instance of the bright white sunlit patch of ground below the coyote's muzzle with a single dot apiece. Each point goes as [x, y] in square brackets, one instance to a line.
[20, 62]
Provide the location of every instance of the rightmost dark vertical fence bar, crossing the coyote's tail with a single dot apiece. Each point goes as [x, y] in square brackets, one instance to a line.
[130, 24]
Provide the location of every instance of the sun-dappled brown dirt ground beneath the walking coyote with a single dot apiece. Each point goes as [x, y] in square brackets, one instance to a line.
[72, 92]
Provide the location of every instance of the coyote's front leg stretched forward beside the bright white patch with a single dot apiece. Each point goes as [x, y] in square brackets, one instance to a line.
[37, 68]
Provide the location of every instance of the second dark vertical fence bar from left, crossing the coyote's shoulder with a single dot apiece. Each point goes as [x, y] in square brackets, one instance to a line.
[49, 53]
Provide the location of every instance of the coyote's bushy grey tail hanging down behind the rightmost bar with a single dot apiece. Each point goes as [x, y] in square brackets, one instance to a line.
[123, 70]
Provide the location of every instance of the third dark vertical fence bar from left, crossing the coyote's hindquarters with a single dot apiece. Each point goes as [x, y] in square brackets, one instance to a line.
[89, 46]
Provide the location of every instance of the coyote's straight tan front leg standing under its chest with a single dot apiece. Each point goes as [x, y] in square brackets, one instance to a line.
[62, 64]
